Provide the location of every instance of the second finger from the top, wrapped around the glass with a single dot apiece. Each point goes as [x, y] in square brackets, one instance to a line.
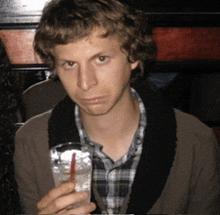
[63, 202]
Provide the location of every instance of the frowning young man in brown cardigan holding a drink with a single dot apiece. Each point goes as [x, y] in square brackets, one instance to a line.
[147, 157]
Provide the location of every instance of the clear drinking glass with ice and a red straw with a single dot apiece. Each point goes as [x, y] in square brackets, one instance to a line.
[61, 160]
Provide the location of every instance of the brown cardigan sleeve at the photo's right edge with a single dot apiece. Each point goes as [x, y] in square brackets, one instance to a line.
[205, 181]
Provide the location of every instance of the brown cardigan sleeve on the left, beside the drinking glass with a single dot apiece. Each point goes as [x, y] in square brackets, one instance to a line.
[32, 164]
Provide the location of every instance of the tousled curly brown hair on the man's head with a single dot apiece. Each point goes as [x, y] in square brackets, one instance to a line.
[64, 21]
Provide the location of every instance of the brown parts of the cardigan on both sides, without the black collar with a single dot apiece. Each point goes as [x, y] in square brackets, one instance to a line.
[194, 180]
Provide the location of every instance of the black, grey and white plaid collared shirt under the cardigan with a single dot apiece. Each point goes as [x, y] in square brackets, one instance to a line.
[114, 179]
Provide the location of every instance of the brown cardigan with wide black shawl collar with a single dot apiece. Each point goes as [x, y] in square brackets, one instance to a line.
[178, 173]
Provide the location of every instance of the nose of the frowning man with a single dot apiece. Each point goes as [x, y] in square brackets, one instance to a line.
[86, 77]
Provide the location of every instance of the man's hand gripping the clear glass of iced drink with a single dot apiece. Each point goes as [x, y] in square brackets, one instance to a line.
[60, 199]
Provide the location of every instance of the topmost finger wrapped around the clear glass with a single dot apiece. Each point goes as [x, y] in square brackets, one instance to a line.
[58, 191]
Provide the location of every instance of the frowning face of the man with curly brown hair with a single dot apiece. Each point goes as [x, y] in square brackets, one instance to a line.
[95, 73]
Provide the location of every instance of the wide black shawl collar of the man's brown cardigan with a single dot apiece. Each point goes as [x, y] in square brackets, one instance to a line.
[158, 148]
